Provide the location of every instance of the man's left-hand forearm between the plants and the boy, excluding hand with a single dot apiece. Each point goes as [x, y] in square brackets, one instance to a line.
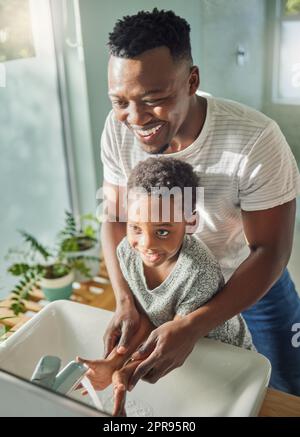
[111, 235]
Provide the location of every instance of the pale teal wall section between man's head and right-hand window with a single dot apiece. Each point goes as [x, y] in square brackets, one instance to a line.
[224, 25]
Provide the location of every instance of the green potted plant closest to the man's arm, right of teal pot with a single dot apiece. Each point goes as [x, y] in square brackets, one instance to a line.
[79, 240]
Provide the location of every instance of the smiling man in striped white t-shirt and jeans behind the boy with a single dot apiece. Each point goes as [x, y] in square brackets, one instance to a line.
[250, 181]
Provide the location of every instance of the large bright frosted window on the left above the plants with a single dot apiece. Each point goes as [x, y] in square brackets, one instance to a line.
[33, 170]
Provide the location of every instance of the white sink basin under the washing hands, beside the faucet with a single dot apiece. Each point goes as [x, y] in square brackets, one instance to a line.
[216, 380]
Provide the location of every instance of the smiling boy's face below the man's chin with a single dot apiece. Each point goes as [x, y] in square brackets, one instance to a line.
[156, 241]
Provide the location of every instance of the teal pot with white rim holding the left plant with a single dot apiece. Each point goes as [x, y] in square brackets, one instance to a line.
[60, 288]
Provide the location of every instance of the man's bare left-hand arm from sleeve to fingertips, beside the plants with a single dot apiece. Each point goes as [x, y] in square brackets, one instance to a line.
[126, 319]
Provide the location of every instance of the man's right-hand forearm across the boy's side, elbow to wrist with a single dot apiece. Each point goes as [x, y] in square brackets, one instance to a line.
[253, 278]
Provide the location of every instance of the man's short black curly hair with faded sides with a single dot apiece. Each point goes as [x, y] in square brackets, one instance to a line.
[134, 34]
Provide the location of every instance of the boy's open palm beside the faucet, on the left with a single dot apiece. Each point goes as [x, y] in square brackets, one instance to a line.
[99, 373]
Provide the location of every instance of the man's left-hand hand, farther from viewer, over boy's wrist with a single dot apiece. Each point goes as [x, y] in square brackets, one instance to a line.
[124, 324]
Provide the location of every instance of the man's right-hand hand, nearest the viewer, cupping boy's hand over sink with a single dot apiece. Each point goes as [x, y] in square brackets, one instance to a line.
[167, 347]
